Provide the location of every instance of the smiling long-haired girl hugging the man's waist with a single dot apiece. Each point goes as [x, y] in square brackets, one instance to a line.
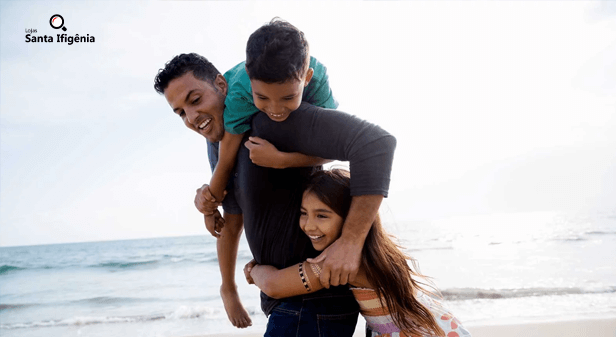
[391, 300]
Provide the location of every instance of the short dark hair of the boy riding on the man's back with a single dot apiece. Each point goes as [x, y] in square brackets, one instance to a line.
[277, 52]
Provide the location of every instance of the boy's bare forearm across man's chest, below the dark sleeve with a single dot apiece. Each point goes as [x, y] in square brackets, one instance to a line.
[263, 153]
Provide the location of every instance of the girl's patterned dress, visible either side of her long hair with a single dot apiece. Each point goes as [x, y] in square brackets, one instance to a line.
[382, 324]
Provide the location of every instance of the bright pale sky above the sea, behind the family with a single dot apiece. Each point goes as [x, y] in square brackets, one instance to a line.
[497, 107]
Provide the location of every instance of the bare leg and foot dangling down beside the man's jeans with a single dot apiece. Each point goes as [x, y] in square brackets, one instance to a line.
[227, 247]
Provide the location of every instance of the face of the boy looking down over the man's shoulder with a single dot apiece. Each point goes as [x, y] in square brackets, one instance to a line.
[278, 100]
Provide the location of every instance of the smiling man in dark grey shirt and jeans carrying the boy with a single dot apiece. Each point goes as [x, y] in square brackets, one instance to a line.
[269, 199]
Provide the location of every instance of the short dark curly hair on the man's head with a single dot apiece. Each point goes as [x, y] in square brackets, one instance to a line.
[180, 65]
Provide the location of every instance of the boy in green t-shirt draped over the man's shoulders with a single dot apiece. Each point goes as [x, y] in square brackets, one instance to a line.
[277, 76]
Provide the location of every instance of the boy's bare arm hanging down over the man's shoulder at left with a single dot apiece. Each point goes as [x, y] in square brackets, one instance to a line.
[229, 145]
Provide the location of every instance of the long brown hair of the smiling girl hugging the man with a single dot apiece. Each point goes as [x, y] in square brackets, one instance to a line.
[385, 264]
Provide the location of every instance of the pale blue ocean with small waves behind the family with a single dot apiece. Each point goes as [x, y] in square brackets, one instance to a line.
[491, 269]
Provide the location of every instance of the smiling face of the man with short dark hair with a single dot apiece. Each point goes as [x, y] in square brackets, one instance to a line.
[199, 104]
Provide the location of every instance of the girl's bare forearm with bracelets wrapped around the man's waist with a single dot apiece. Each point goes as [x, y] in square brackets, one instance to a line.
[281, 283]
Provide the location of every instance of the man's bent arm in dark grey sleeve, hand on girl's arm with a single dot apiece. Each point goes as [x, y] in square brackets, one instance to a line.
[337, 135]
